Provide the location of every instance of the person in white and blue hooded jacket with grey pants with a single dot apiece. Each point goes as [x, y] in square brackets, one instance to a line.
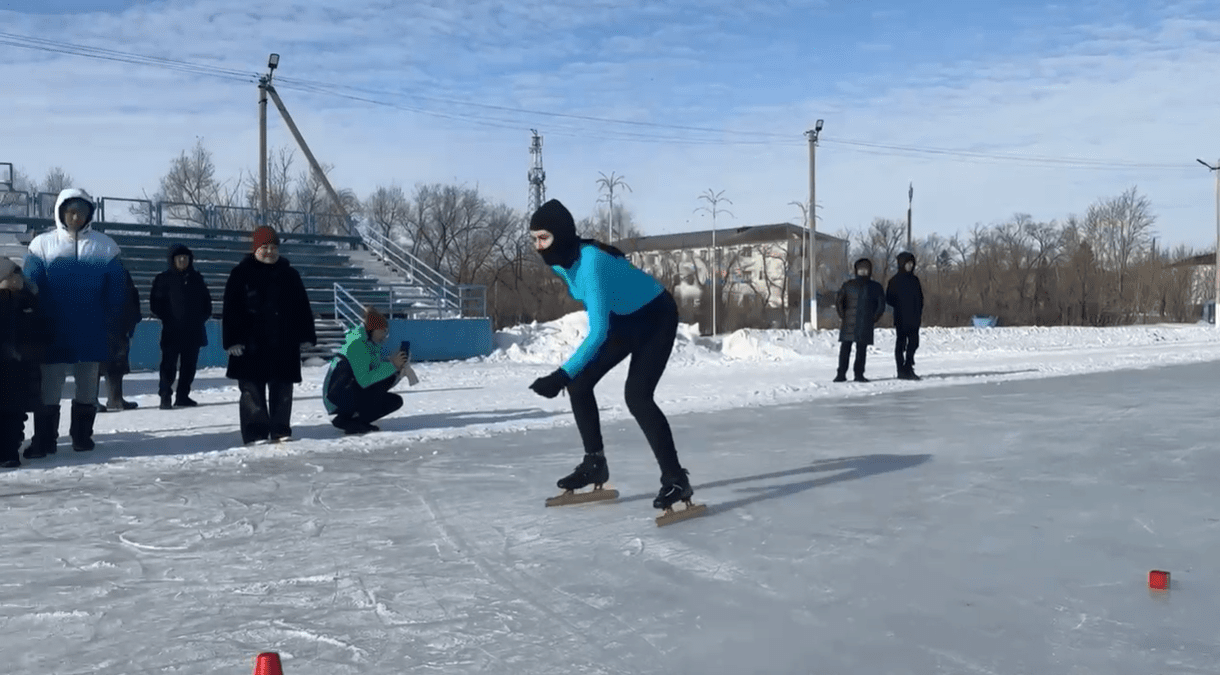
[82, 292]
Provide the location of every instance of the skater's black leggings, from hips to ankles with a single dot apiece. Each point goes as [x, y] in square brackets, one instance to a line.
[647, 336]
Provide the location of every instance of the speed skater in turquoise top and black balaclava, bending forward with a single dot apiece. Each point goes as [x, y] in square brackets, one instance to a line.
[630, 314]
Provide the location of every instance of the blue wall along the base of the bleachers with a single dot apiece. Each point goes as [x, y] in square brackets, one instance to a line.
[432, 340]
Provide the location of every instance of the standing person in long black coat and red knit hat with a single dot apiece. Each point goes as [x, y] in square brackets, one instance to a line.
[265, 323]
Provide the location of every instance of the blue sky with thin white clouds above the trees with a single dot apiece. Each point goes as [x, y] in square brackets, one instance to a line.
[679, 98]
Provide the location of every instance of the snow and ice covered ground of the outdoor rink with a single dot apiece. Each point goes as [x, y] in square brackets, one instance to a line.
[890, 527]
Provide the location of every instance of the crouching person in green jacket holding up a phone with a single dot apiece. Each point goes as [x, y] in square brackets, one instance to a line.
[357, 386]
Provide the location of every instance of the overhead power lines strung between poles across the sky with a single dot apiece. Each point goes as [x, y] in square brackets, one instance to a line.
[722, 137]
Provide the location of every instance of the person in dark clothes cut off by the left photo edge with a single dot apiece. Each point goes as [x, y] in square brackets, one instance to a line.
[24, 341]
